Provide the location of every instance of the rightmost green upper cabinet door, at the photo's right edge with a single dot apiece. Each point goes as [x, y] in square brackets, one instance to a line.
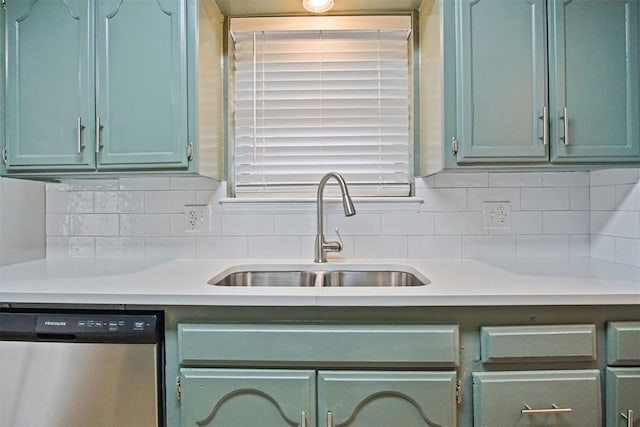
[593, 72]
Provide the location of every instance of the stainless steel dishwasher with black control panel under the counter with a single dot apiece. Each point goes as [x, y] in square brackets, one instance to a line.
[81, 369]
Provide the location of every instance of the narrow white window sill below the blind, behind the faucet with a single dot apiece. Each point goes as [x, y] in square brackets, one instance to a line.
[362, 204]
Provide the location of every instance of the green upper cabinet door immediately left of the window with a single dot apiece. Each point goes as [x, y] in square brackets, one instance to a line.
[141, 84]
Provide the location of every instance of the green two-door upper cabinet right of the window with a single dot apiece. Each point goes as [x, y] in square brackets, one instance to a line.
[541, 81]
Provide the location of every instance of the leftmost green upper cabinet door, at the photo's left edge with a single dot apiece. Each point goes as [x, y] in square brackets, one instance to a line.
[49, 85]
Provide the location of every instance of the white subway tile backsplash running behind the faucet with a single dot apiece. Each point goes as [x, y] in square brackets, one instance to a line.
[557, 214]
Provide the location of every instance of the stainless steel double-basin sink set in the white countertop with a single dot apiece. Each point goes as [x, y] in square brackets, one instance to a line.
[320, 275]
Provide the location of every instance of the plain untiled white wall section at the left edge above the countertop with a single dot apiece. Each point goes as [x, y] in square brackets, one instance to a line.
[22, 219]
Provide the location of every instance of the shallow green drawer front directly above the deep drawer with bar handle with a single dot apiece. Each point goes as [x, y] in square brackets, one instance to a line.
[547, 343]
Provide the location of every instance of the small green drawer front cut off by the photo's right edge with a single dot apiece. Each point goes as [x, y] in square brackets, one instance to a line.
[623, 343]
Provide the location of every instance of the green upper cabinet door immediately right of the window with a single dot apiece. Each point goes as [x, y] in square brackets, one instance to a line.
[501, 81]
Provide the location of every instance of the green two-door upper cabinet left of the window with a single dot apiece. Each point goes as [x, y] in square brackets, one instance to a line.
[96, 86]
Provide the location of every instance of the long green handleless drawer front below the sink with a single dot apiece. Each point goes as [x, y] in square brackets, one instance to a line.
[318, 345]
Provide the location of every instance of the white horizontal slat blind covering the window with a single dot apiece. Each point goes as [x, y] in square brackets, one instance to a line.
[311, 101]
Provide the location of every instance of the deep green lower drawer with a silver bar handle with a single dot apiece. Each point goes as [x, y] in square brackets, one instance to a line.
[535, 398]
